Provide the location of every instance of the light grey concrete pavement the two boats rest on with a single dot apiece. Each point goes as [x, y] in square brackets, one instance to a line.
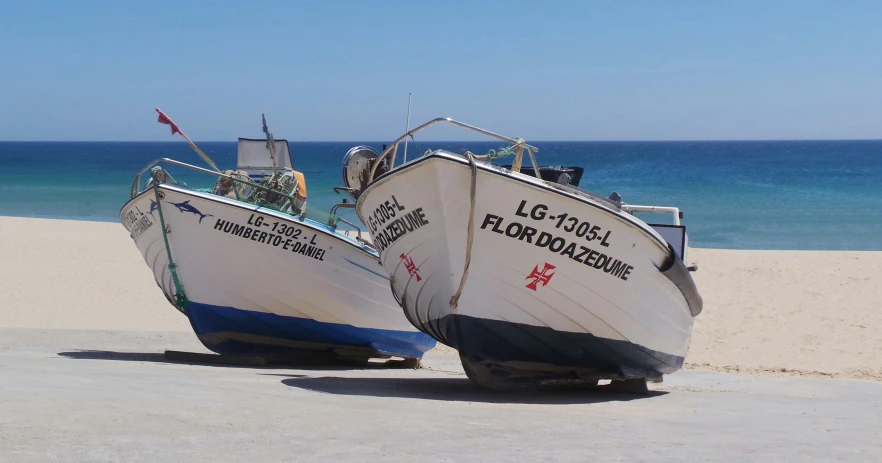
[70, 395]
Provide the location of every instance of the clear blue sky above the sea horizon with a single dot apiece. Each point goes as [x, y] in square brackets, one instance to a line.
[341, 70]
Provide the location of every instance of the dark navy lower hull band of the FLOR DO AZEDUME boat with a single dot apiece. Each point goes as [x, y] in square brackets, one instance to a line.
[479, 339]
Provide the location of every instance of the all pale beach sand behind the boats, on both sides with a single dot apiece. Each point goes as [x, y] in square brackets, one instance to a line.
[803, 312]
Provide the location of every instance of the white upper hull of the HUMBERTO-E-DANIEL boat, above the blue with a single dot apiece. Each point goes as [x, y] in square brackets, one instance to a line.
[340, 281]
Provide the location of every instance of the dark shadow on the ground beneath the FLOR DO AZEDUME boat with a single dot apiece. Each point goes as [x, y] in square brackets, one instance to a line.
[456, 389]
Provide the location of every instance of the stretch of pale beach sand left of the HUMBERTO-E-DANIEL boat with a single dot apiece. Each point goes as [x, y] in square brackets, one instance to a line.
[66, 274]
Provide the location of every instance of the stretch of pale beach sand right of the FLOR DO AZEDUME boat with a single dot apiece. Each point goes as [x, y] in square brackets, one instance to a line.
[791, 312]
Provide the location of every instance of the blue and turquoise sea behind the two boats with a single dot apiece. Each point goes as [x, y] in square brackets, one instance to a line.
[736, 195]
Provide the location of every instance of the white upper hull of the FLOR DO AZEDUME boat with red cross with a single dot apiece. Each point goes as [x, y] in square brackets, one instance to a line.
[429, 198]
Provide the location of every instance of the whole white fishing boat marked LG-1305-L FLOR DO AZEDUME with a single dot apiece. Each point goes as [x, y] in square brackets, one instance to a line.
[529, 279]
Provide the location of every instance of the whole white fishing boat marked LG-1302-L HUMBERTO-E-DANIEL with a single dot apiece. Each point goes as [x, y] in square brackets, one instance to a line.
[256, 271]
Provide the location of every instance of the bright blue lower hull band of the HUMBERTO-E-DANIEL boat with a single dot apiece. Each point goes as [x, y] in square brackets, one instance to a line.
[230, 331]
